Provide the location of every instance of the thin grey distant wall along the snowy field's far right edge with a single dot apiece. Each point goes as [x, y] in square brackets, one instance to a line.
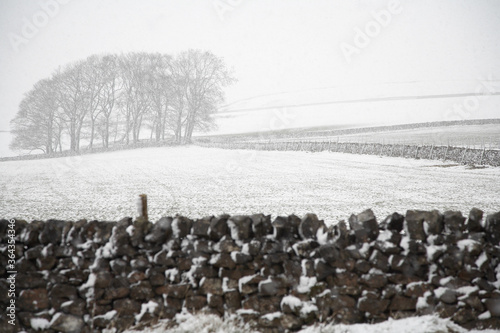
[460, 155]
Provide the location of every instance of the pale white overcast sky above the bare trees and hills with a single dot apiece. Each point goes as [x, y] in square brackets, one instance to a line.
[313, 50]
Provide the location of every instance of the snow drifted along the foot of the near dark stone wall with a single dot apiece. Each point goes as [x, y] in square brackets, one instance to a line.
[187, 323]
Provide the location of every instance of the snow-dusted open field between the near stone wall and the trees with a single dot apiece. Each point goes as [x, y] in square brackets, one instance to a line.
[196, 181]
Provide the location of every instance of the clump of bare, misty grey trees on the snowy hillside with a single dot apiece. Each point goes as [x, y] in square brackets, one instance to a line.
[121, 98]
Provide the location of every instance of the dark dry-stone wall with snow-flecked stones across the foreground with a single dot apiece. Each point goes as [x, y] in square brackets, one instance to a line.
[277, 274]
